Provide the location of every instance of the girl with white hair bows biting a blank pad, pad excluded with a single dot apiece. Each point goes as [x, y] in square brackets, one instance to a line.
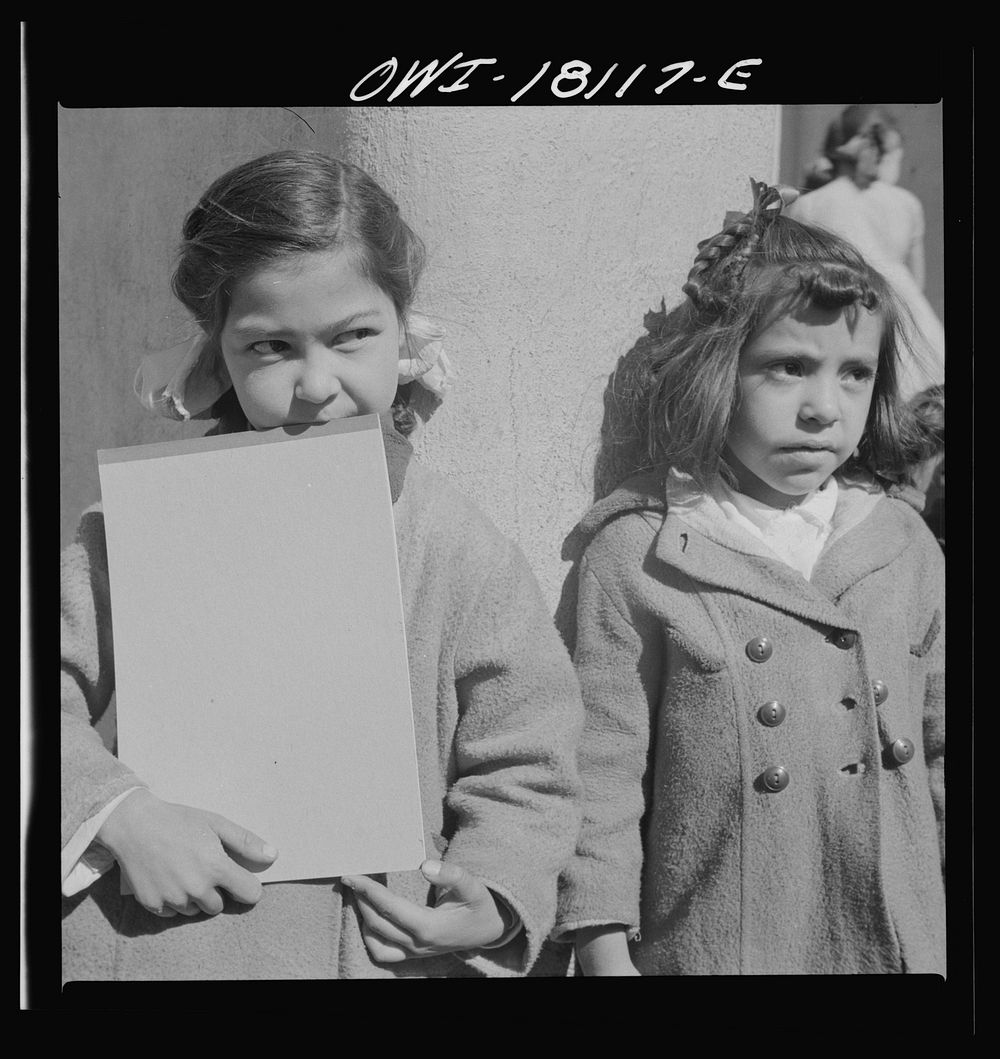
[301, 275]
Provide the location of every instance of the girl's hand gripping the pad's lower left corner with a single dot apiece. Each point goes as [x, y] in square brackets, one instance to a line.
[175, 856]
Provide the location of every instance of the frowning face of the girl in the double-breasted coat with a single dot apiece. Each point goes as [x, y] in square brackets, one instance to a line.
[806, 386]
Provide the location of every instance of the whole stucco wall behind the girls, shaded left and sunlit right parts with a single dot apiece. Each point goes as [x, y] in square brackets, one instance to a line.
[551, 231]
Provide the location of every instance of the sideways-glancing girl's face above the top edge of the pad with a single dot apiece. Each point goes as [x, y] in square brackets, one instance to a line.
[309, 339]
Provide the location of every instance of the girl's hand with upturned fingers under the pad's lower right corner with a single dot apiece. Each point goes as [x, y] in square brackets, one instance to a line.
[396, 929]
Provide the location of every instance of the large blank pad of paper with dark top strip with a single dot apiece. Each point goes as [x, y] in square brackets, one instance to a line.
[260, 650]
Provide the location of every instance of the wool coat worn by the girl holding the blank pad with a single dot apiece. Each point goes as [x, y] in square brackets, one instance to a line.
[498, 714]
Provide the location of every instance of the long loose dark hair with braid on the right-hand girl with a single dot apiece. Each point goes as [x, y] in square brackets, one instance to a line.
[757, 271]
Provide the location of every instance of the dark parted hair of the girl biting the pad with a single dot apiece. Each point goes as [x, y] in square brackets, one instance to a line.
[290, 203]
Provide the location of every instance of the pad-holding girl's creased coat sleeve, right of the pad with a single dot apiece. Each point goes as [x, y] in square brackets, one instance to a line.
[515, 801]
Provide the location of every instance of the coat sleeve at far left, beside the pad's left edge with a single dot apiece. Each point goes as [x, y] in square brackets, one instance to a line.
[92, 776]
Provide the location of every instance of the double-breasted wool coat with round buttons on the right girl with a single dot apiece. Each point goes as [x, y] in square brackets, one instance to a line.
[841, 871]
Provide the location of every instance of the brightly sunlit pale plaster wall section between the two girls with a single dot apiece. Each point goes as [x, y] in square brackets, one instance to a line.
[551, 231]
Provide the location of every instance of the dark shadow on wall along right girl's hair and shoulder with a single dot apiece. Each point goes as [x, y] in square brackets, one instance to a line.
[623, 450]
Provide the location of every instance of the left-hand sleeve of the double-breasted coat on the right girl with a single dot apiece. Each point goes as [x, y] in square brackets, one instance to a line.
[619, 661]
